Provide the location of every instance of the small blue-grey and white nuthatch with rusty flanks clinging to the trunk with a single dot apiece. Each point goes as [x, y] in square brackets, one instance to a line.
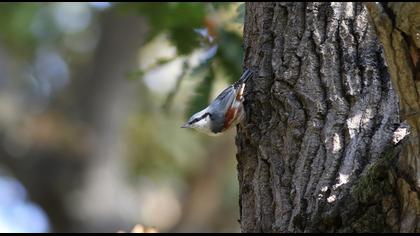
[224, 112]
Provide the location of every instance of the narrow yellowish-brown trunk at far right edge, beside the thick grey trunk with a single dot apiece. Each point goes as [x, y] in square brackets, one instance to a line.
[398, 27]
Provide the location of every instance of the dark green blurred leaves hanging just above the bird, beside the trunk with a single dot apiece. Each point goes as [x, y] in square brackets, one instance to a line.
[180, 21]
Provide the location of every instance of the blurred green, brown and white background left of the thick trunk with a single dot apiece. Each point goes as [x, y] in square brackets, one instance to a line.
[92, 97]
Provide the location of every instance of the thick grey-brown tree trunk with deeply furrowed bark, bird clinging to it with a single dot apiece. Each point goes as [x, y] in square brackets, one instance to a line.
[319, 147]
